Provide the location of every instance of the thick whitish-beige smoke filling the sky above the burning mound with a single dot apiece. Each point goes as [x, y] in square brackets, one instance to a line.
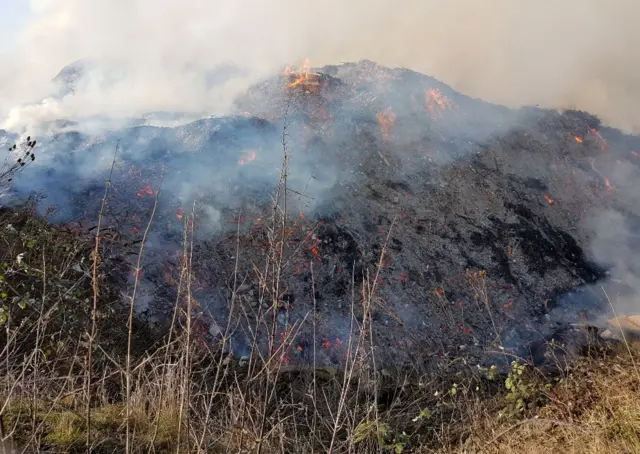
[576, 53]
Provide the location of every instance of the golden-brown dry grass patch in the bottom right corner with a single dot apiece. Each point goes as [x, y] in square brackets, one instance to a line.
[595, 409]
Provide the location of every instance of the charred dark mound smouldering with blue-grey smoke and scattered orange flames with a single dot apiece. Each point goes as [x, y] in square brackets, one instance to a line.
[483, 215]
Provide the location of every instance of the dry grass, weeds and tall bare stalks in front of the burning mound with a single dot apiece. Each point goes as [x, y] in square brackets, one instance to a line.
[75, 379]
